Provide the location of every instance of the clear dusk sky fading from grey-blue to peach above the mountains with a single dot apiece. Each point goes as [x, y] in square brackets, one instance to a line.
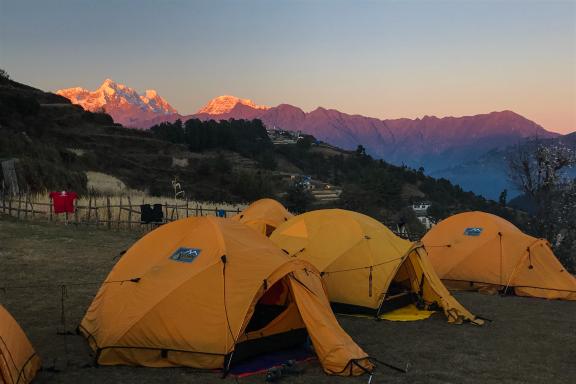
[385, 59]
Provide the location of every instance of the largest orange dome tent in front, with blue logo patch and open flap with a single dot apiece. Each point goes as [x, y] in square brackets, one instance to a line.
[207, 292]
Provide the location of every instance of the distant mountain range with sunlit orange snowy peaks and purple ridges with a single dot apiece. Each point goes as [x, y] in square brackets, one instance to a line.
[439, 145]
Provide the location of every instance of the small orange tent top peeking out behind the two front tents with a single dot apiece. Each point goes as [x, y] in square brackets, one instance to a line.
[264, 216]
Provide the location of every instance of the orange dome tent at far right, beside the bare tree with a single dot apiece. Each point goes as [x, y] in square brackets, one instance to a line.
[477, 250]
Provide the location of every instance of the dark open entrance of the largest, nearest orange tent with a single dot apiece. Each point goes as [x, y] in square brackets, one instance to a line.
[275, 325]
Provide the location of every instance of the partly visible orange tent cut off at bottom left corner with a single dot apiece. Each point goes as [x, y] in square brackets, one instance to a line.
[18, 361]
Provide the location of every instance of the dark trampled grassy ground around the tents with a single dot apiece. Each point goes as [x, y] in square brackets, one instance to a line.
[528, 341]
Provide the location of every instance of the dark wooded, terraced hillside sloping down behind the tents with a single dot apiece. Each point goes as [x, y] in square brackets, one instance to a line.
[56, 142]
